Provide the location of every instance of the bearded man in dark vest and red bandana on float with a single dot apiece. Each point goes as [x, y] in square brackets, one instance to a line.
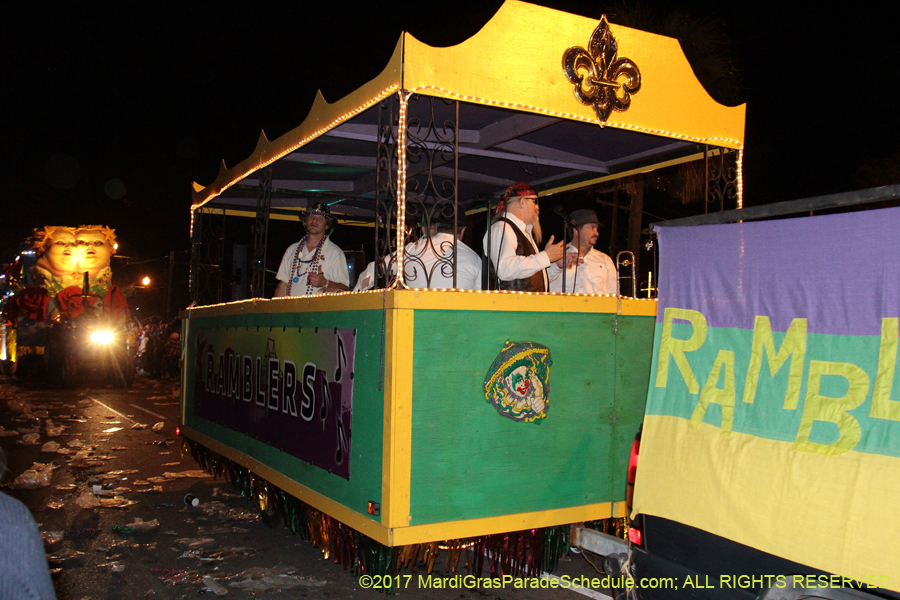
[511, 243]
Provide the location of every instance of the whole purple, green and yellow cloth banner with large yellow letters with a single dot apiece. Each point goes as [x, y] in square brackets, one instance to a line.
[773, 414]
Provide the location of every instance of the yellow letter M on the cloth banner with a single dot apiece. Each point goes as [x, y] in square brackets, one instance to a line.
[794, 343]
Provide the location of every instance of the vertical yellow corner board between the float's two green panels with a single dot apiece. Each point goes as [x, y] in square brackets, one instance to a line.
[397, 444]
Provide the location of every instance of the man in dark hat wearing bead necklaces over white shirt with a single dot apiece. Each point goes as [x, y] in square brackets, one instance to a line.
[313, 265]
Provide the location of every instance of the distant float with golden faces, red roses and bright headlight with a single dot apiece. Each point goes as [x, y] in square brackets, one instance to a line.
[62, 314]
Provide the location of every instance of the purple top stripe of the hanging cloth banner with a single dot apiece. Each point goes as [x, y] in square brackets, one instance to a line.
[786, 269]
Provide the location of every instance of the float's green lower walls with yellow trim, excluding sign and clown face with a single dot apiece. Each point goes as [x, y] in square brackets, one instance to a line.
[440, 460]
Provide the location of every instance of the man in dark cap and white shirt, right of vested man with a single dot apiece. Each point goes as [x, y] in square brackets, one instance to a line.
[595, 272]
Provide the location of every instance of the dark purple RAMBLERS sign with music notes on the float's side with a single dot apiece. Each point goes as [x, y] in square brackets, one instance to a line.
[291, 389]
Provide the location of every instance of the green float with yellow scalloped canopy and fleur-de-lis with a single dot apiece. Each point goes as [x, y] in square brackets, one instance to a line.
[392, 423]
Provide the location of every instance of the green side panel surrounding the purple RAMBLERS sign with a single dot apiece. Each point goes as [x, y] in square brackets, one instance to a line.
[366, 435]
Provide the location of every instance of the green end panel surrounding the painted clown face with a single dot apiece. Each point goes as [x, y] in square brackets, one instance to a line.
[468, 461]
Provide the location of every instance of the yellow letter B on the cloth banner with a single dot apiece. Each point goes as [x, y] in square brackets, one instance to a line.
[834, 410]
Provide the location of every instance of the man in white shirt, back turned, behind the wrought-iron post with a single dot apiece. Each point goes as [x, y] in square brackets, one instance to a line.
[428, 262]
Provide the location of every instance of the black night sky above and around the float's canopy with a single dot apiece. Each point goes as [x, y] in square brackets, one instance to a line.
[109, 113]
